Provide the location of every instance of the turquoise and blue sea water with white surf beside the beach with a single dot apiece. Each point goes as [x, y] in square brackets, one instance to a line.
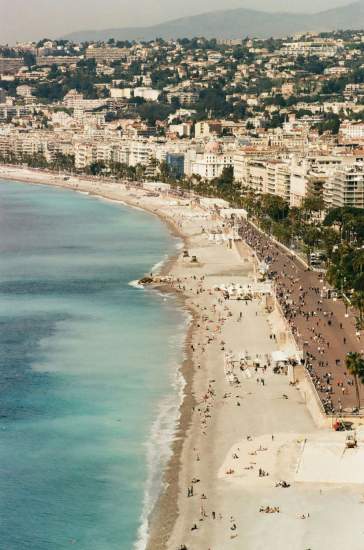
[87, 370]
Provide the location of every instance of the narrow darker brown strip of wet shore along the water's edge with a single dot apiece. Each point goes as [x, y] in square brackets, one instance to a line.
[167, 498]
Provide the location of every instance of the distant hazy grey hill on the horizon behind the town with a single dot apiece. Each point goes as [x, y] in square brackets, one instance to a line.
[236, 23]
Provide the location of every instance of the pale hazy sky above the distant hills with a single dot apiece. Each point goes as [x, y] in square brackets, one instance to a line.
[34, 19]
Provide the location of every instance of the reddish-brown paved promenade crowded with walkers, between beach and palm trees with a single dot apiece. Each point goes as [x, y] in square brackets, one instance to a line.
[320, 325]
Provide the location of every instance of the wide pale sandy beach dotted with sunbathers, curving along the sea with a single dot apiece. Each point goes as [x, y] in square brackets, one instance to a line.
[250, 469]
